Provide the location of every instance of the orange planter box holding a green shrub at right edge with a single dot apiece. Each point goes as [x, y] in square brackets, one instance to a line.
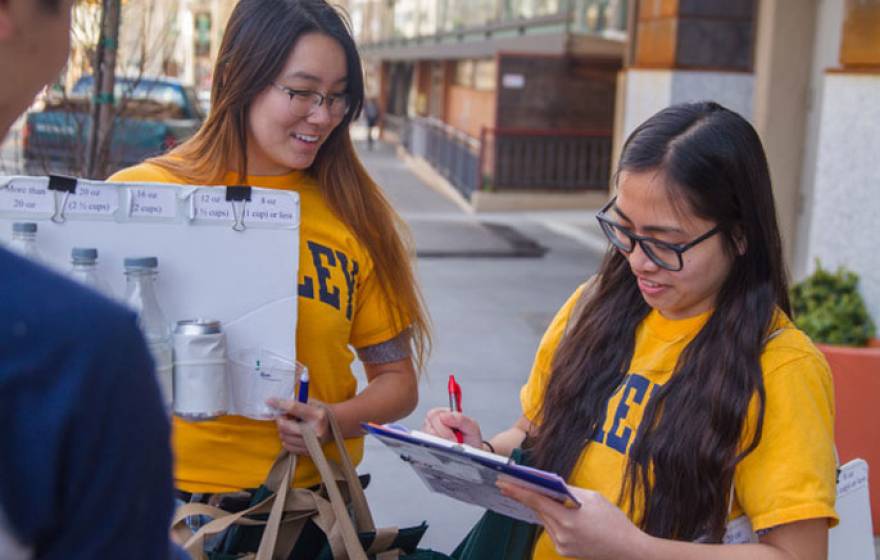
[856, 374]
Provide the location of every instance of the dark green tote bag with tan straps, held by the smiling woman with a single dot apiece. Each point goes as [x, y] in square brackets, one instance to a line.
[285, 522]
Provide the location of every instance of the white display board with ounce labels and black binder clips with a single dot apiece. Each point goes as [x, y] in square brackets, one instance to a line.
[234, 260]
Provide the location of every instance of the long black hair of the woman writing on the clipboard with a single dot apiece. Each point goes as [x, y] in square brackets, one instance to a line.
[688, 444]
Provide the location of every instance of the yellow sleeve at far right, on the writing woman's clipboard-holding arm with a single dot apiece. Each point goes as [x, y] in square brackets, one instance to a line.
[791, 474]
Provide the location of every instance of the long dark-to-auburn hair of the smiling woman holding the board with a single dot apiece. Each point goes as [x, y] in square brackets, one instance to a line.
[258, 39]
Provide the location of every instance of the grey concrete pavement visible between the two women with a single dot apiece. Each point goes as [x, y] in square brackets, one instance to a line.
[488, 312]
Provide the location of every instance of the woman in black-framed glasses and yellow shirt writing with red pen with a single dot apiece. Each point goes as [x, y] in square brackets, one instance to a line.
[672, 391]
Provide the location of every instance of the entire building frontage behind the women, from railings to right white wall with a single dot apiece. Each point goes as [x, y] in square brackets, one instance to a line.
[506, 96]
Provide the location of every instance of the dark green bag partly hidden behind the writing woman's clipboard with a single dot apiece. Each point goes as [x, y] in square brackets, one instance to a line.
[497, 536]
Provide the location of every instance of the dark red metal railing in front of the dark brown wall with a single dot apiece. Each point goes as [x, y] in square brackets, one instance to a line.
[547, 159]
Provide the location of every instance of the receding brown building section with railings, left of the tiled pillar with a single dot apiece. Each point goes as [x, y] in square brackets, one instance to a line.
[499, 95]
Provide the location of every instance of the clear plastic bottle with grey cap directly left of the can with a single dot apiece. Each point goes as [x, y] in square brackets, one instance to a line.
[140, 295]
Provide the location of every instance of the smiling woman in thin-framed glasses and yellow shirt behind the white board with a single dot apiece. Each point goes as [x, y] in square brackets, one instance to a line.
[287, 83]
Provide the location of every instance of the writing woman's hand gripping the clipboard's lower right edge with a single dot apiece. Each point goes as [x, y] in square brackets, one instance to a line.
[598, 529]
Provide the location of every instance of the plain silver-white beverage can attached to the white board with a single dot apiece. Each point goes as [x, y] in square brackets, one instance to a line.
[199, 370]
